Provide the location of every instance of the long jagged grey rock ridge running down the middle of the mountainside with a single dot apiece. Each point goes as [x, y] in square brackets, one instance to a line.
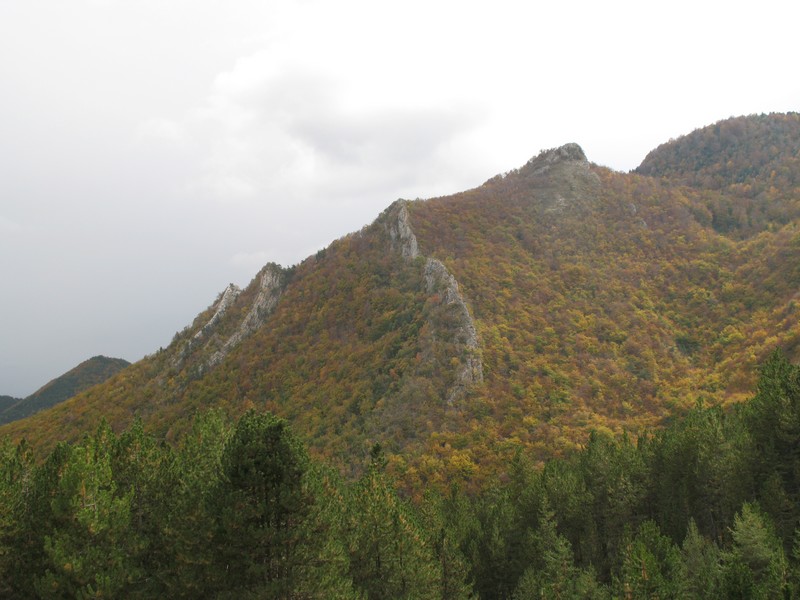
[440, 282]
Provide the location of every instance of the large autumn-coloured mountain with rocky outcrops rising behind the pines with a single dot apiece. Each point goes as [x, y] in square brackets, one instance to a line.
[559, 298]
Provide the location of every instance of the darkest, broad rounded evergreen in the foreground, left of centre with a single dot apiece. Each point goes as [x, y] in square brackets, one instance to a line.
[262, 505]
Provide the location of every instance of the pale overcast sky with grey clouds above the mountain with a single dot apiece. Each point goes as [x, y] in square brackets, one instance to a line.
[152, 151]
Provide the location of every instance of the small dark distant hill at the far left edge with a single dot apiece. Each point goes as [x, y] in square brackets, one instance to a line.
[90, 372]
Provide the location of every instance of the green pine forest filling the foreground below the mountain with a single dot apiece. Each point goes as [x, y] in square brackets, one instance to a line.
[706, 508]
